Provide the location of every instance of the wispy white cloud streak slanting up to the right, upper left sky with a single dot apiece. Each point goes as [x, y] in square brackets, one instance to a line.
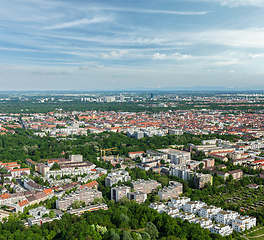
[96, 19]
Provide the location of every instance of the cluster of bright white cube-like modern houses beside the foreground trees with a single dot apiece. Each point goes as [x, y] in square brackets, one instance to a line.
[227, 221]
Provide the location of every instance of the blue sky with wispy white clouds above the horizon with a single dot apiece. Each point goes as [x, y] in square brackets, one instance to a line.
[94, 45]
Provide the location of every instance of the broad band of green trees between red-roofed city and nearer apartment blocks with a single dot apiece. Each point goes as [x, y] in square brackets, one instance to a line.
[23, 144]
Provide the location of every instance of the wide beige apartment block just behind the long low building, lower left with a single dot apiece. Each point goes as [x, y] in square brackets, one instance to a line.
[87, 196]
